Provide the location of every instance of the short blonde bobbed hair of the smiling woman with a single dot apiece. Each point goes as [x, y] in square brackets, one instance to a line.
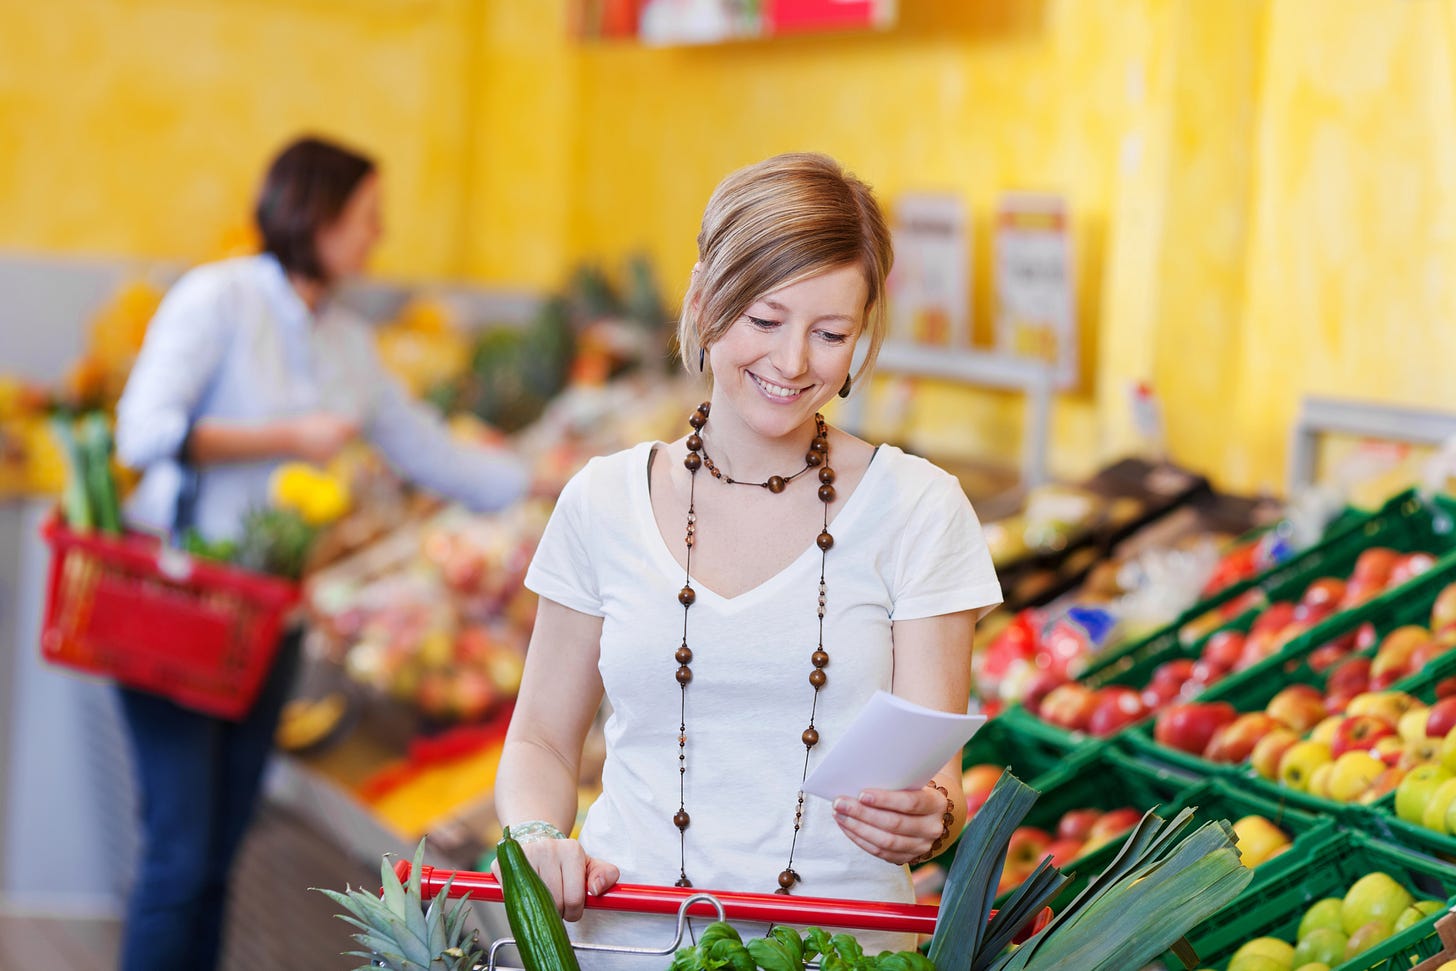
[774, 225]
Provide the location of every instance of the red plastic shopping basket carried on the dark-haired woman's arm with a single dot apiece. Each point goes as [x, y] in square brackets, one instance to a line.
[199, 633]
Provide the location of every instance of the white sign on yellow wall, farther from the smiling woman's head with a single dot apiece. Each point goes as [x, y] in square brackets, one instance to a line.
[1036, 306]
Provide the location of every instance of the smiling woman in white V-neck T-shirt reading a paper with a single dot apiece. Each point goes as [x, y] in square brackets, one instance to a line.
[739, 595]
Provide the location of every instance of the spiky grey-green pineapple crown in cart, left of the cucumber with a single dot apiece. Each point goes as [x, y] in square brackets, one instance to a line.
[401, 934]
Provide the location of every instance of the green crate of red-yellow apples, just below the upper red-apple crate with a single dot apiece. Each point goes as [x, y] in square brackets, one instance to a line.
[1253, 689]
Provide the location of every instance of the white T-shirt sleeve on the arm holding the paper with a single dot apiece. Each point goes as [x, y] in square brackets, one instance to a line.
[944, 564]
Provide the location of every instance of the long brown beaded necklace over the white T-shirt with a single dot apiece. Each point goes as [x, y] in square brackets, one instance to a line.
[697, 459]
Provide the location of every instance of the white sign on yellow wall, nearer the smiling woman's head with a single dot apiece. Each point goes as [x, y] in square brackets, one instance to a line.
[930, 286]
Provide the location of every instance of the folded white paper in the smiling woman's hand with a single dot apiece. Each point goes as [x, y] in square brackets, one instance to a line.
[893, 745]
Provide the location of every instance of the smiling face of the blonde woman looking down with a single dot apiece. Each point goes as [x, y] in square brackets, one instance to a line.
[791, 352]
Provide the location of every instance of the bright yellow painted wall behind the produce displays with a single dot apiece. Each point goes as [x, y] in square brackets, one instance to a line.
[1262, 209]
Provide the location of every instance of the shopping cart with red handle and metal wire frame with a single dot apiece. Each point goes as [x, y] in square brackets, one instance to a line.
[850, 915]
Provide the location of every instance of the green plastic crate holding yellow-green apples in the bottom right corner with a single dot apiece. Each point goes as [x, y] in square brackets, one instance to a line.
[1285, 889]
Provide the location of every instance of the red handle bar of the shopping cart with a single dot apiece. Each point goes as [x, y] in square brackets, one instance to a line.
[857, 915]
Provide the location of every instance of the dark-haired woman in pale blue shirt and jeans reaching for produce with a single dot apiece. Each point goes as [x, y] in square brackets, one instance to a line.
[248, 365]
